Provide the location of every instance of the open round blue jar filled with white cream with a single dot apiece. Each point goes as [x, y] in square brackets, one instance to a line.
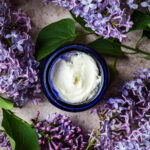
[75, 77]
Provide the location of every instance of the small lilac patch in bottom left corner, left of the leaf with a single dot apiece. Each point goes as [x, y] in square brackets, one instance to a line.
[4, 141]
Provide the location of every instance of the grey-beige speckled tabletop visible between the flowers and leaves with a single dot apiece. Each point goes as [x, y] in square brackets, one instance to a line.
[41, 16]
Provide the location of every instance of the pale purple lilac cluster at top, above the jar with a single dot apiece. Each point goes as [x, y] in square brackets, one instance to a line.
[105, 17]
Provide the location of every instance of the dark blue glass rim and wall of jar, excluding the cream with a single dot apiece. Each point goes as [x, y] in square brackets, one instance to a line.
[53, 95]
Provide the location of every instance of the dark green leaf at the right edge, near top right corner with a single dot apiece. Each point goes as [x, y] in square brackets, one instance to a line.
[141, 21]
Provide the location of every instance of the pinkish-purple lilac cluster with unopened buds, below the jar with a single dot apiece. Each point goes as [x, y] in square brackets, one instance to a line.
[59, 134]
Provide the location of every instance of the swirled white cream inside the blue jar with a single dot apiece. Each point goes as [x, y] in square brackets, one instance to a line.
[76, 78]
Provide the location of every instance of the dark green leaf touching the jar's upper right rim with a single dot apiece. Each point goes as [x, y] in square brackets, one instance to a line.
[106, 47]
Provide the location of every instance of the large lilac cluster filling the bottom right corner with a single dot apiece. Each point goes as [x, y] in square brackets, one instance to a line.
[124, 120]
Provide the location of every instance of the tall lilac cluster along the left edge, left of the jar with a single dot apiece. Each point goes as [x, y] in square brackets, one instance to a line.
[18, 68]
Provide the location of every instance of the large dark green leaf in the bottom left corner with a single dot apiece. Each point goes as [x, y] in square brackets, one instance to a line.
[21, 135]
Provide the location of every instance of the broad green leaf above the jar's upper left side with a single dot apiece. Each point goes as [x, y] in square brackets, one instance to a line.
[53, 36]
